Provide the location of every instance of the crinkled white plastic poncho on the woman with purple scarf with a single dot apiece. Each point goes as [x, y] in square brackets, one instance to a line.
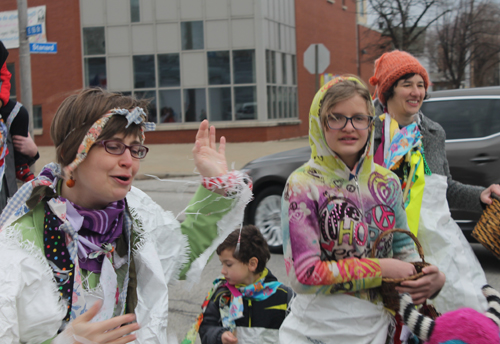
[29, 308]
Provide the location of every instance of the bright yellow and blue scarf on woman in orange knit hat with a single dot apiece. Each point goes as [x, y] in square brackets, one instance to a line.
[403, 152]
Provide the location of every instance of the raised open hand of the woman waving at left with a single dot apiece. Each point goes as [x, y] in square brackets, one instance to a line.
[209, 161]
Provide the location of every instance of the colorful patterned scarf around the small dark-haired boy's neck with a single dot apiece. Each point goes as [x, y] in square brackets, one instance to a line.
[231, 308]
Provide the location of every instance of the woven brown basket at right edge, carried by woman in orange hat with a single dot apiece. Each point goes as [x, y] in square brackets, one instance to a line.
[487, 230]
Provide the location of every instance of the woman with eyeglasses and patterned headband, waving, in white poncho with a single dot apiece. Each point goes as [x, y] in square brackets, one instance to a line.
[84, 256]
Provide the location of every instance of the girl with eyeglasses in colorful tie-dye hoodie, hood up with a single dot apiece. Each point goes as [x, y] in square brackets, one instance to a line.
[334, 208]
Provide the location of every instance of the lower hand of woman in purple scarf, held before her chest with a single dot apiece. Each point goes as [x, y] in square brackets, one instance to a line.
[108, 331]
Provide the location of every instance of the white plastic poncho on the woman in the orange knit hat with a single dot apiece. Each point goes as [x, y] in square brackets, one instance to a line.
[445, 246]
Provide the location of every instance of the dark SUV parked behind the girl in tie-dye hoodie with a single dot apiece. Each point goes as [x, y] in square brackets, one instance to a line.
[471, 119]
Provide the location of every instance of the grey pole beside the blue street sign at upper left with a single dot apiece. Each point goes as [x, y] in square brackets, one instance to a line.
[25, 61]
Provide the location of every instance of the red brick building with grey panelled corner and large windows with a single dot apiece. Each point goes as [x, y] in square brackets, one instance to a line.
[238, 63]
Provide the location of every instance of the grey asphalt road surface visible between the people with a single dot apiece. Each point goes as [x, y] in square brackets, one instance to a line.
[174, 195]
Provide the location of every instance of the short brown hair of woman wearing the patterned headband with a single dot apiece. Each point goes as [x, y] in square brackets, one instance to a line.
[77, 114]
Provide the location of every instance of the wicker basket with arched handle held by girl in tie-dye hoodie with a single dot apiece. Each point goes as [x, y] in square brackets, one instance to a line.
[388, 289]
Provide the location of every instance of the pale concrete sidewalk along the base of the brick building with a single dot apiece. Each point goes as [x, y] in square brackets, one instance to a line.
[173, 160]
